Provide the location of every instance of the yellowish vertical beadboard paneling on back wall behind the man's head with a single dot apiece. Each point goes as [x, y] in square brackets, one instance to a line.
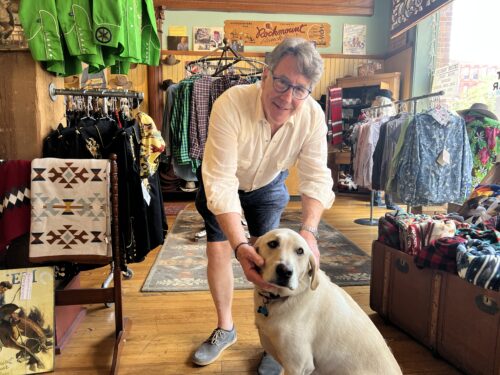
[336, 66]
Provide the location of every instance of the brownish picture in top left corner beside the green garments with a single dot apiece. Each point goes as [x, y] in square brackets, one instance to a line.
[11, 33]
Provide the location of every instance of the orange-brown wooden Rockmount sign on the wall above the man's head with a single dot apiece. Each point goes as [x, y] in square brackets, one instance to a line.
[267, 33]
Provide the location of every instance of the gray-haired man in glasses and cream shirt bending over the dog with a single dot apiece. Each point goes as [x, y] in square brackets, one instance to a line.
[256, 133]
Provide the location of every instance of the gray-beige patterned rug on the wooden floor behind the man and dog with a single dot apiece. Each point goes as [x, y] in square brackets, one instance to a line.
[181, 263]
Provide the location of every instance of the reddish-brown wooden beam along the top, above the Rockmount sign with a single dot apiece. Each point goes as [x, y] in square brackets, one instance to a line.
[321, 7]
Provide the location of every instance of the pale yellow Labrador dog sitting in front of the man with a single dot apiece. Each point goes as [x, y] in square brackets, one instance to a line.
[309, 324]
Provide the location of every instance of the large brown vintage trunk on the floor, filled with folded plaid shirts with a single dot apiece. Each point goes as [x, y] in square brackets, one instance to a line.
[456, 319]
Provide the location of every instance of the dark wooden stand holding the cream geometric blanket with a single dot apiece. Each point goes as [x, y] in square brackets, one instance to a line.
[105, 295]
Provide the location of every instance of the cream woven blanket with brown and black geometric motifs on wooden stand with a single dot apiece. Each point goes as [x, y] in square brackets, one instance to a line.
[70, 210]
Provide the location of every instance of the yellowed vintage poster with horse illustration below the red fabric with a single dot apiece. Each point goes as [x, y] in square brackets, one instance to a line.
[27, 321]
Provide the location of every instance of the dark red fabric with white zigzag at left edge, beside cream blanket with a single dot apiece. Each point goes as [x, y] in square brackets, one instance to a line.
[15, 210]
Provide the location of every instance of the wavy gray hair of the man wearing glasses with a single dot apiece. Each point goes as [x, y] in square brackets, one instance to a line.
[309, 60]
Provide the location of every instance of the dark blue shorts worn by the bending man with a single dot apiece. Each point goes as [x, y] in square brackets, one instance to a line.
[262, 208]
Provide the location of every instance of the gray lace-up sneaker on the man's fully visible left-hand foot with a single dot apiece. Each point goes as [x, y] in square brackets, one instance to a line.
[213, 347]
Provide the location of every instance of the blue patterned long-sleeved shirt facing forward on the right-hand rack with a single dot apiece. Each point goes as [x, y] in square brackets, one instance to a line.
[421, 179]
